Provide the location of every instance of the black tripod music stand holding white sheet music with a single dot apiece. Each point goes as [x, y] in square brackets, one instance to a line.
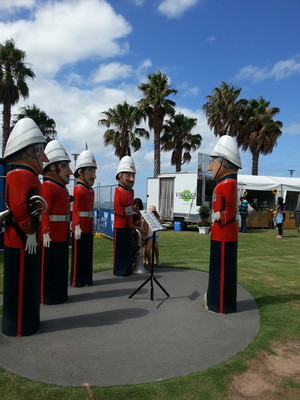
[156, 226]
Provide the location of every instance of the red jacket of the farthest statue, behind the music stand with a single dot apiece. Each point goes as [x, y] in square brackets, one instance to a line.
[123, 198]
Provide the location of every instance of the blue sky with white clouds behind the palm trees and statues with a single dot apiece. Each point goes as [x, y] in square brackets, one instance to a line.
[89, 55]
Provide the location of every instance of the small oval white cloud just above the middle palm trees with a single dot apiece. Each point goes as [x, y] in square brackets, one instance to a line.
[112, 71]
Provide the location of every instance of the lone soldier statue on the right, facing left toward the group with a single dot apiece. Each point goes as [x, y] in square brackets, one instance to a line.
[222, 285]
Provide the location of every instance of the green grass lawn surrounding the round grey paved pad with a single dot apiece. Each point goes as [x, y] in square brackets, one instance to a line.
[267, 267]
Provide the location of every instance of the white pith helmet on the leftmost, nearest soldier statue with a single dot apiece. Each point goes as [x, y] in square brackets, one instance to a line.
[25, 133]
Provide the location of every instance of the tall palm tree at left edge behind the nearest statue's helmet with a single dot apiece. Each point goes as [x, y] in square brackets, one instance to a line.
[13, 75]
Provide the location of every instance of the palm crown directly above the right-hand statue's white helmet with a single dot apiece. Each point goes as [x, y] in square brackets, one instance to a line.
[223, 110]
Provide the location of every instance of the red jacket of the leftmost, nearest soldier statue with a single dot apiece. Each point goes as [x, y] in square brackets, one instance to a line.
[21, 184]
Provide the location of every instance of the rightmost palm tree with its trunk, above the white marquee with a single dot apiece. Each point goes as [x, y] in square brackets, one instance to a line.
[259, 132]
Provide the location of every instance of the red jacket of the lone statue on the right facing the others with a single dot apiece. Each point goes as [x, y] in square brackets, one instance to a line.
[225, 201]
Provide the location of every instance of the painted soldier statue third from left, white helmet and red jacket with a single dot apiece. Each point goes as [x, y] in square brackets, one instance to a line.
[83, 220]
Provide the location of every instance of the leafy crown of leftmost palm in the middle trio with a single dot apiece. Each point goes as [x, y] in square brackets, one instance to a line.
[124, 118]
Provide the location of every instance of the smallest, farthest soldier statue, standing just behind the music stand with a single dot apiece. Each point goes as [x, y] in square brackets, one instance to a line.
[123, 220]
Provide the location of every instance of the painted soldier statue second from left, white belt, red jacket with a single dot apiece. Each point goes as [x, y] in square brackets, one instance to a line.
[55, 226]
